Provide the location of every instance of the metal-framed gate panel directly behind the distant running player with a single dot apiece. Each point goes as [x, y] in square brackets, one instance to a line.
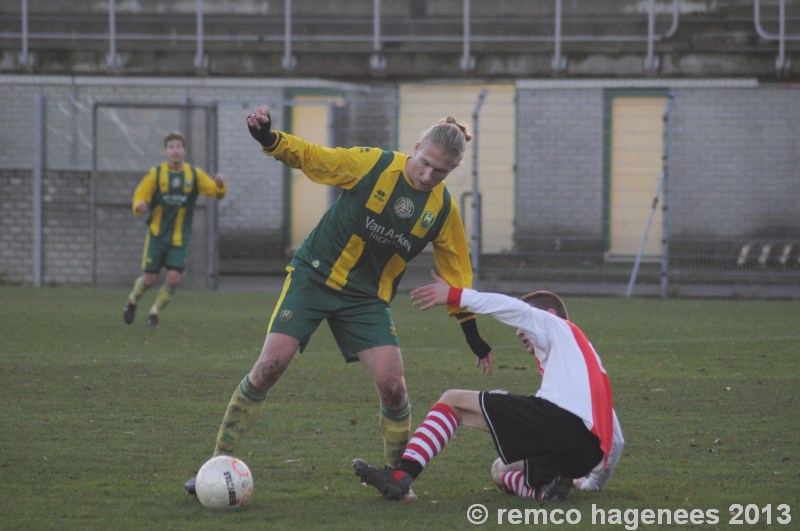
[127, 139]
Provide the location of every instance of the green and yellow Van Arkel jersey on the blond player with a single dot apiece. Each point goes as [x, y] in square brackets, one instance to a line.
[378, 224]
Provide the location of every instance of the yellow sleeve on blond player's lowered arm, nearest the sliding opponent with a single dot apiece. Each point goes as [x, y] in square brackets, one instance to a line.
[451, 255]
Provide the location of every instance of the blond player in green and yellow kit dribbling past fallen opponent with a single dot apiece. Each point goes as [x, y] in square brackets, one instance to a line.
[348, 268]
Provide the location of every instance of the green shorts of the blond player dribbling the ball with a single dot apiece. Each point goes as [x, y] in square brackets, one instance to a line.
[357, 323]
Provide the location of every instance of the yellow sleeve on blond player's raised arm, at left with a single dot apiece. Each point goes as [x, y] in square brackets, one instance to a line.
[341, 167]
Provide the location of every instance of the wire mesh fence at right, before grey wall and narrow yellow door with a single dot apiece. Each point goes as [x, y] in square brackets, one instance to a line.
[706, 207]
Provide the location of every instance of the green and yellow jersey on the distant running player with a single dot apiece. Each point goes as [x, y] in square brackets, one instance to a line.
[171, 197]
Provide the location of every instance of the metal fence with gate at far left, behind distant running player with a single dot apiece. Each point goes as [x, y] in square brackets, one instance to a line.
[69, 174]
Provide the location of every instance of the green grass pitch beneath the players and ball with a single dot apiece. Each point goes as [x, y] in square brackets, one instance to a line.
[101, 422]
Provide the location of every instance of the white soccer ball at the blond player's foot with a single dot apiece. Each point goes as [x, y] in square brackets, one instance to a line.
[224, 482]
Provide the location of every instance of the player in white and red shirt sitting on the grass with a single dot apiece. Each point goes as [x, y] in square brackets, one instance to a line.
[564, 432]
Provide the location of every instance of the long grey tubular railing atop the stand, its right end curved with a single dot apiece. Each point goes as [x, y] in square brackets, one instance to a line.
[374, 36]
